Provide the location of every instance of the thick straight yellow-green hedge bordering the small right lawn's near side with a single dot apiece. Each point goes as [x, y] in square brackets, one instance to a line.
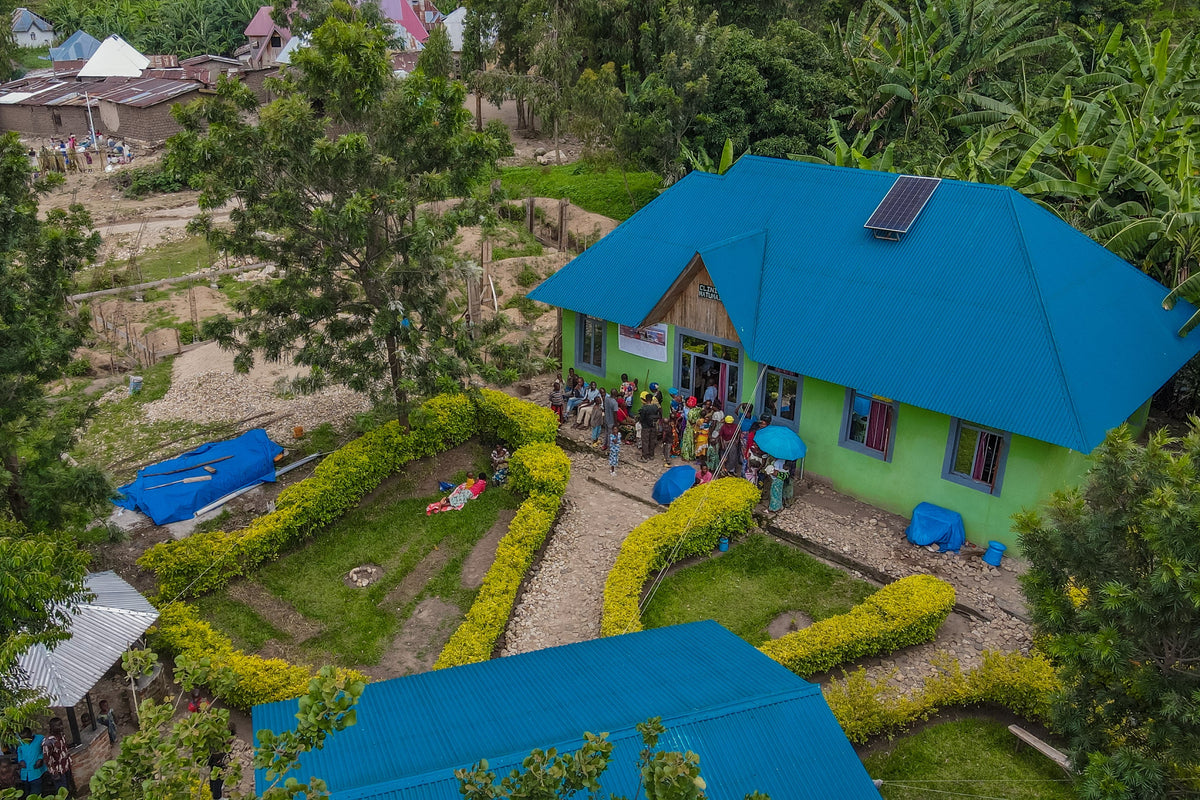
[898, 616]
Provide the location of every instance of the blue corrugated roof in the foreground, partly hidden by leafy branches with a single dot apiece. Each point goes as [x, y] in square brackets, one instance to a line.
[754, 725]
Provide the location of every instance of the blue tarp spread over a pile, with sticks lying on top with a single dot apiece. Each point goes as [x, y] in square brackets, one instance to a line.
[238, 464]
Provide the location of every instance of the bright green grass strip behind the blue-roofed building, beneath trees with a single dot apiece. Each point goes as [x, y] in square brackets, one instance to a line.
[593, 189]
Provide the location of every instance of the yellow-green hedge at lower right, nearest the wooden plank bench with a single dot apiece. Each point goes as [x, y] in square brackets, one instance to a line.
[1021, 684]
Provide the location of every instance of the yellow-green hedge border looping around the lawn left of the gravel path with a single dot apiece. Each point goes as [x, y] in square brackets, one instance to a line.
[340, 483]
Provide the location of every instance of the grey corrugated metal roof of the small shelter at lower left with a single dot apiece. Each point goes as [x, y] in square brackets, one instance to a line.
[101, 630]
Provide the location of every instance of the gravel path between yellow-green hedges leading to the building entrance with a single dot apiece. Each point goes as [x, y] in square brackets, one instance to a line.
[565, 598]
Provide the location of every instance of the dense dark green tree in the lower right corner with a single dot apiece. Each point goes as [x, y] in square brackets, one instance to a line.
[1112, 588]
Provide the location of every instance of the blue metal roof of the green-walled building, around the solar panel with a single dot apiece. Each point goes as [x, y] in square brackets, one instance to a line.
[991, 309]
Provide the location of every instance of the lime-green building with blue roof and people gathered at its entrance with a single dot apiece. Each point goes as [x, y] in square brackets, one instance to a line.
[970, 363]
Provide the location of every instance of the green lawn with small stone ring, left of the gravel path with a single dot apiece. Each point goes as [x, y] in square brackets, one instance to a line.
[357, 625]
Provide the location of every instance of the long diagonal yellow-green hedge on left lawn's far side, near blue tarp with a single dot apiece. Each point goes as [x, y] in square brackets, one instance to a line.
[207, 562]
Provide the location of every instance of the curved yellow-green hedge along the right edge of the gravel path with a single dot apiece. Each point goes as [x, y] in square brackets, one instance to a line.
[693, 526]
